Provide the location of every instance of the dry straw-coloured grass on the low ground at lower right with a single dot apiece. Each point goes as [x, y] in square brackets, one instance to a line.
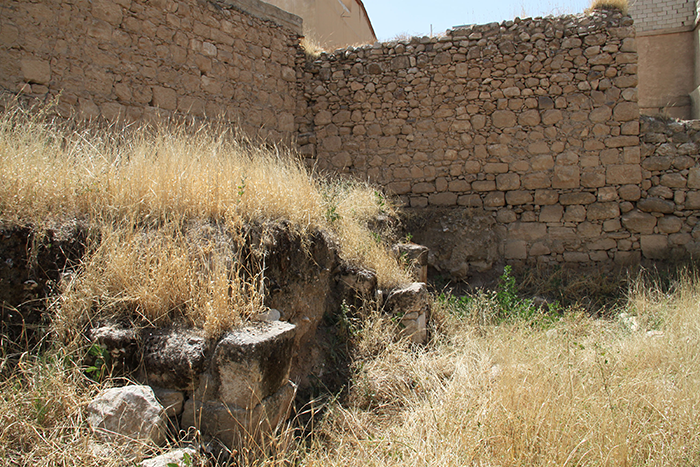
[583, 392]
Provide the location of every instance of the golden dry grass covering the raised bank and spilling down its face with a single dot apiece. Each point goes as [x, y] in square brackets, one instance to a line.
[166, 206]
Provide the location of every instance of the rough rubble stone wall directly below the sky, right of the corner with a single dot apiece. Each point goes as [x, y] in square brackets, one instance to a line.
[535, 122]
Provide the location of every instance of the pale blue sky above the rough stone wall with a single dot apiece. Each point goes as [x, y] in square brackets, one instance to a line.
[391, 18]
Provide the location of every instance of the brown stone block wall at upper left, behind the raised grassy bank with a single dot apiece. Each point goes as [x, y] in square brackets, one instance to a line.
[137, 59]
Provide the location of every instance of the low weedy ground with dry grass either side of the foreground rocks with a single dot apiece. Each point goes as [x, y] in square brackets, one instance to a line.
[501, 382]
